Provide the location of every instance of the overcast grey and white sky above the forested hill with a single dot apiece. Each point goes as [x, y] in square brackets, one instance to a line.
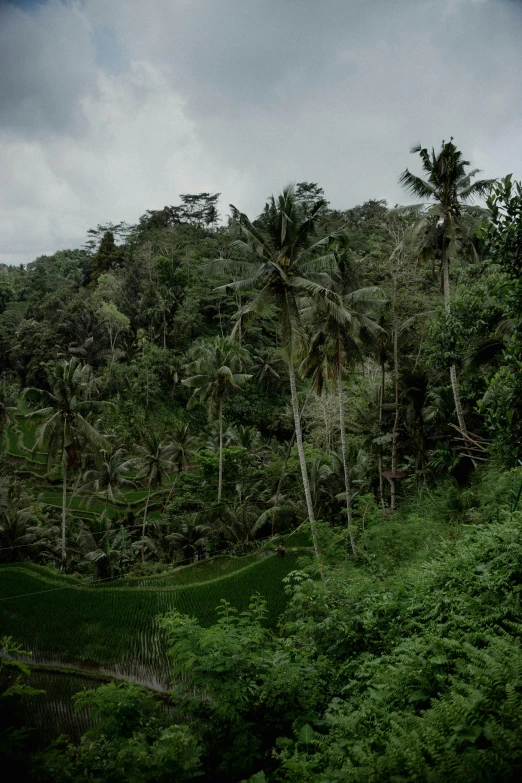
[112, 107]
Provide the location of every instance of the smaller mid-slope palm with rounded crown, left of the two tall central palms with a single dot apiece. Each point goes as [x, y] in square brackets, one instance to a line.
[214, 375]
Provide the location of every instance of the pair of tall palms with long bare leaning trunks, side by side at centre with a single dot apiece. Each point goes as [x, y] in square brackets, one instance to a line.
[298, 279]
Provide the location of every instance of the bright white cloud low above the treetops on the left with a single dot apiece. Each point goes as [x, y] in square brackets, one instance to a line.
[137, 150]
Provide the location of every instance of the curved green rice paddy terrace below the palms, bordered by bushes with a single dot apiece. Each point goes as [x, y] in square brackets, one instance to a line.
[113, 627]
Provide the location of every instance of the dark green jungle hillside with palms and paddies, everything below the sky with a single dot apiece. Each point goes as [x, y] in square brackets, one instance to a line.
[178, 393]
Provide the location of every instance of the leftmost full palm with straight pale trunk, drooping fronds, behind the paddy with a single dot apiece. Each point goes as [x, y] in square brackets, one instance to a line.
[63, 427]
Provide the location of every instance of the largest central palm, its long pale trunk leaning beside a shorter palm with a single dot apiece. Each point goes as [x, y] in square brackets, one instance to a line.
[281, 258]
